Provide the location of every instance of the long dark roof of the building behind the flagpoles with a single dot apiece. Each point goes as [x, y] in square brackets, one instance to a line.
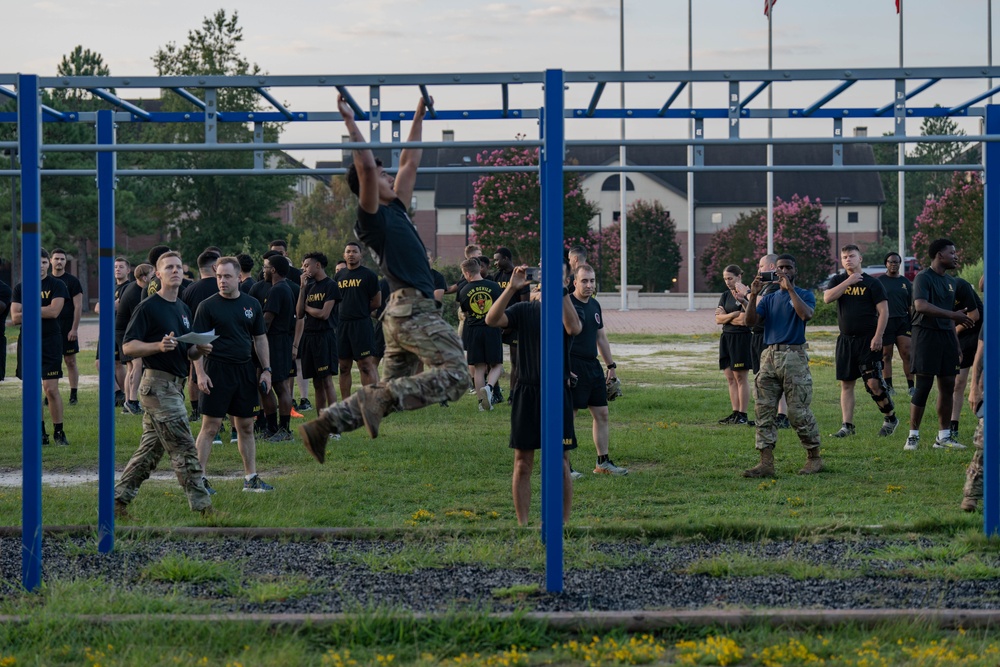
[714, 188]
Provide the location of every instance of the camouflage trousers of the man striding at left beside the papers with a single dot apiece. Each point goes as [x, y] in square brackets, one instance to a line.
[164, 429]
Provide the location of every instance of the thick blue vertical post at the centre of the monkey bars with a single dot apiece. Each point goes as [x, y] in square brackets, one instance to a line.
[551, 174]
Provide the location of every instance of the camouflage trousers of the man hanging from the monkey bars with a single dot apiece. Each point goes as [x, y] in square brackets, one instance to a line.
[415, 333]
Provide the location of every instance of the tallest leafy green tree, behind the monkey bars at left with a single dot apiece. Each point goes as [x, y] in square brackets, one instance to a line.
[216, 210]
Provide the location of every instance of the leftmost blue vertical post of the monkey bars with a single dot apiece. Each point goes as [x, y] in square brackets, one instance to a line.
[29, 122]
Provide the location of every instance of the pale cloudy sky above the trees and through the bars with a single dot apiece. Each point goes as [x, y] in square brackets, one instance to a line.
[438, 36]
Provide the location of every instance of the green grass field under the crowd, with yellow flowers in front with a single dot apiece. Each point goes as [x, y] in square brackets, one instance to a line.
[443, 474]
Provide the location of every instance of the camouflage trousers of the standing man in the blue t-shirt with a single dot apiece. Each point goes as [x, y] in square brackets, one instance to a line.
[784, 371]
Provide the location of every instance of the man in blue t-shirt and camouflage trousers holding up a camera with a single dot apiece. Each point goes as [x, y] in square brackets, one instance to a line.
[784, 367]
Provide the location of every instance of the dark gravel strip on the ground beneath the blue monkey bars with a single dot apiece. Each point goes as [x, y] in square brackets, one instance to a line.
[653, 578]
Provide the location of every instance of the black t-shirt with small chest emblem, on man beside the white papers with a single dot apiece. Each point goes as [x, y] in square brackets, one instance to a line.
[235, 321]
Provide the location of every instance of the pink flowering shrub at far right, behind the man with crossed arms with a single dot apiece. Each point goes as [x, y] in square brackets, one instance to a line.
[957, 215]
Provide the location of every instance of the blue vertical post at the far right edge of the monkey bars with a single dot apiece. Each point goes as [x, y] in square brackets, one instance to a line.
[991, 332]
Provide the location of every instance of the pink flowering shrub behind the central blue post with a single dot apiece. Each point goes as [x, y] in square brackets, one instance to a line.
[508, 206]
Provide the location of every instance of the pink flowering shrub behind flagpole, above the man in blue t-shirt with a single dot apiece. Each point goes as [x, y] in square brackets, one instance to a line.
[799, 230]
